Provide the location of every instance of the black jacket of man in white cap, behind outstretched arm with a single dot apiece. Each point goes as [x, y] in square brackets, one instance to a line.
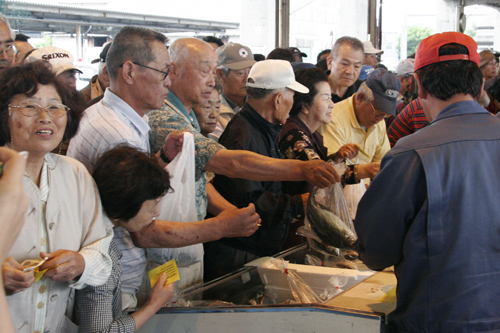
[249, 131]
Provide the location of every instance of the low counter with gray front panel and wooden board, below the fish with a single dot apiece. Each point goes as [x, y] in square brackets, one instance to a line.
[226, 303]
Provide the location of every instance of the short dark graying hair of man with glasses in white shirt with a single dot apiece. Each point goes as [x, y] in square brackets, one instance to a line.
[132, 44]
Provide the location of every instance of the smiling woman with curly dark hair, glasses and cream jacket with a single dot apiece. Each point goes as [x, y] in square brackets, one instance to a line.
[64, 223]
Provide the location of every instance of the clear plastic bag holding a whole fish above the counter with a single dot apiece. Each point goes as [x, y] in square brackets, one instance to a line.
[328, 225]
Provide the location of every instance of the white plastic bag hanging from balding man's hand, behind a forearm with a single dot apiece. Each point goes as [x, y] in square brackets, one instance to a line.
[180, 205]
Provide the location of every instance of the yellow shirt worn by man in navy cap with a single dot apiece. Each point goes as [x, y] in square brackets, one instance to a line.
[344, 128]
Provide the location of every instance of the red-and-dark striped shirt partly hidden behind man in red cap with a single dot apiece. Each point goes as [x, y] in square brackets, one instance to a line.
[408, 121]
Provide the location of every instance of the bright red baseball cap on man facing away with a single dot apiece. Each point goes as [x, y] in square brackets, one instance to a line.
[428, 49]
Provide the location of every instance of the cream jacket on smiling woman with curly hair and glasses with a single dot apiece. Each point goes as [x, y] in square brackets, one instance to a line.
[74, 220]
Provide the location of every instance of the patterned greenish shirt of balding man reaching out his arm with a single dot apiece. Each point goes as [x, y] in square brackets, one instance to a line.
[169, 118]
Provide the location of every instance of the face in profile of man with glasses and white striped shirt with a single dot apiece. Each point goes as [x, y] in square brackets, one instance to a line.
[152, 85]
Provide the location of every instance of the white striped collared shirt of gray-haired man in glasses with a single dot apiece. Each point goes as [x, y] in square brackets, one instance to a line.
[105, 125]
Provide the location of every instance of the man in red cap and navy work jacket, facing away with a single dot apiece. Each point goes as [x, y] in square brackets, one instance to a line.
[432, 210]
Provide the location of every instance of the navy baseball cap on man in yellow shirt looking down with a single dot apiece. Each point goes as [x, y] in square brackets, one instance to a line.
[385, 87]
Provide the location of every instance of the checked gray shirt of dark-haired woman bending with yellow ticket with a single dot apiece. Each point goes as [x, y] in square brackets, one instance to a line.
[100, 308]
